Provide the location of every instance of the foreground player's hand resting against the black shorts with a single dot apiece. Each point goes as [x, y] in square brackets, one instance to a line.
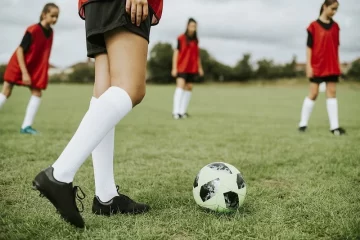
[138, 10]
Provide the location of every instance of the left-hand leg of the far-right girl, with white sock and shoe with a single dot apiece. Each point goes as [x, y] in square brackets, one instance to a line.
[308, 105]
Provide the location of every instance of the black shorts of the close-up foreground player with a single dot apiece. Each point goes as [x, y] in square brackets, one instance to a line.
[106, 15]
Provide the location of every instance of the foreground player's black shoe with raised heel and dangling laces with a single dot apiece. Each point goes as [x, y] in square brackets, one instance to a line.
[61, 195]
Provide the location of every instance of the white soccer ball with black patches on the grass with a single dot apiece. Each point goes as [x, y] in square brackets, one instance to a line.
[219, 187]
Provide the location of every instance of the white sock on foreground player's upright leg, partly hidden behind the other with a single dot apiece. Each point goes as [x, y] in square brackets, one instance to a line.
[103, 163]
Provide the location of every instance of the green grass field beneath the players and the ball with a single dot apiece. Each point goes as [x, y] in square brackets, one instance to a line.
[300, 186]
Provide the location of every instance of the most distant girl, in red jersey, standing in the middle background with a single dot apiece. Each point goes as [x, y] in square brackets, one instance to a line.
[186, 67]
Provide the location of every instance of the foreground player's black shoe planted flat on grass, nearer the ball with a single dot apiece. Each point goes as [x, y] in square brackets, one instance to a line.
[119, 204]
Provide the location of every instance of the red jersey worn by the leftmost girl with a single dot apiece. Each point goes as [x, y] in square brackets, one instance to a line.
[36, 59]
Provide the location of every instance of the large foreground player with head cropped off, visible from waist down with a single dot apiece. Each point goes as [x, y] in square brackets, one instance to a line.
[117, 34]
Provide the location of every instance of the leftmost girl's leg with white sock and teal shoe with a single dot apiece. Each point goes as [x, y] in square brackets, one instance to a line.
[31, 110]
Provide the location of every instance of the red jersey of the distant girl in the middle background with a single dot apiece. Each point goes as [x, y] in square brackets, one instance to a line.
[188, 58]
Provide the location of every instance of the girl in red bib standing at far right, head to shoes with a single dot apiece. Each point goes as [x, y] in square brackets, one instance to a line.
[323, 65]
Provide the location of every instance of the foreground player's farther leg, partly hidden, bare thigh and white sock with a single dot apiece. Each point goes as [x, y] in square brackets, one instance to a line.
[103, 154]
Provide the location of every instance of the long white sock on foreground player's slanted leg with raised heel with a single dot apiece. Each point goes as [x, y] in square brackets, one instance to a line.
[105, 113]
